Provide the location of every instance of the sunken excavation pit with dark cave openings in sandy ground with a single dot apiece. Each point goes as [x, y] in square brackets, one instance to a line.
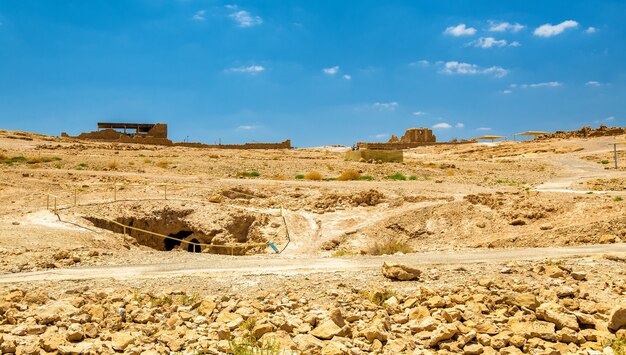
[180, 228]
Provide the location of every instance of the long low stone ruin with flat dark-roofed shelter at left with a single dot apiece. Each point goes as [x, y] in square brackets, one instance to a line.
[156, 133]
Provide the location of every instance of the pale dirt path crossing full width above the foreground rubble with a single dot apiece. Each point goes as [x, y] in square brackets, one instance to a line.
[208, 265]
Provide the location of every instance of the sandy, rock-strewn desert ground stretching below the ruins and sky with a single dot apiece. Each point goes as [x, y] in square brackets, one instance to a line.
[507, 247]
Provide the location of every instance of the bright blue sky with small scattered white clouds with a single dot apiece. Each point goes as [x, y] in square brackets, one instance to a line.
[318, 72]
